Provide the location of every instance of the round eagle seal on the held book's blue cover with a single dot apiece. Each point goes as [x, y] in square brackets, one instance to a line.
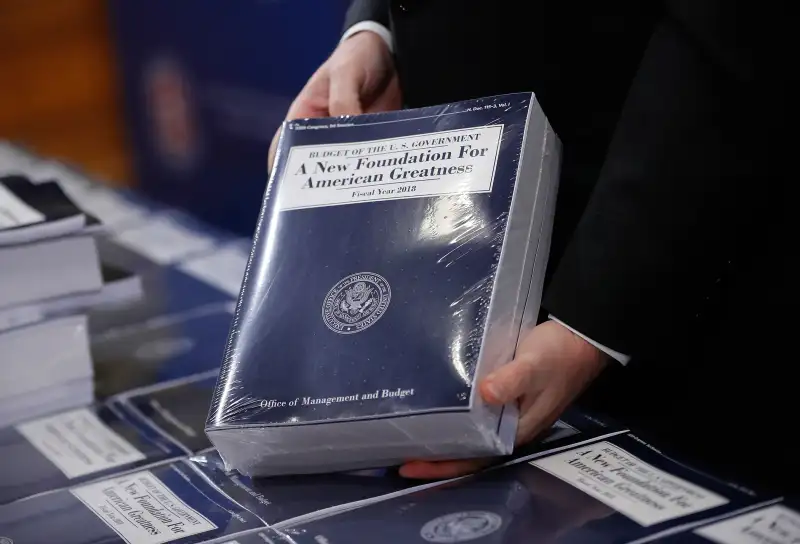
[356, 302]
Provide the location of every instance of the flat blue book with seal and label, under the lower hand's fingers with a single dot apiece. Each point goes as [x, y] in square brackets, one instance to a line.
[615, 490]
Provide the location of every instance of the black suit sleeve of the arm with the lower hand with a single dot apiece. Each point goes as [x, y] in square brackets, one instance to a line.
[678, 178]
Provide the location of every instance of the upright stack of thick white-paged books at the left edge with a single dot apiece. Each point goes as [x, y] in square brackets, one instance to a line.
[50, 275]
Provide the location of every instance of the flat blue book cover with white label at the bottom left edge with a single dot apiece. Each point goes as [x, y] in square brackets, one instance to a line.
[168, 504]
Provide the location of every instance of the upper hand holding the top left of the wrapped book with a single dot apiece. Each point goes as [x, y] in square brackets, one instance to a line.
[359, 77]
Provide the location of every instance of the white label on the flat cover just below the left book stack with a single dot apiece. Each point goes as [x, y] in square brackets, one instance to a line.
[78, 443]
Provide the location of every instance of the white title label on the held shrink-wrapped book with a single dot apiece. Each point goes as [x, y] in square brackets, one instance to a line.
[434, 164]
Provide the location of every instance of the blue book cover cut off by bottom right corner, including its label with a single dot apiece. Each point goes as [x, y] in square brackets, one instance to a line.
[774, 523]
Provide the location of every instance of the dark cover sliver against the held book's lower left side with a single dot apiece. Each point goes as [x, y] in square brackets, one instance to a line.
[178, 408]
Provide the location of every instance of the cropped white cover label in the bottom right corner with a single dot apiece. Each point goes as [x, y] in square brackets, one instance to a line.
[773, 525]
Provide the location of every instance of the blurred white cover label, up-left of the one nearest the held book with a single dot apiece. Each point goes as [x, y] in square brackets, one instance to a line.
[164, 240]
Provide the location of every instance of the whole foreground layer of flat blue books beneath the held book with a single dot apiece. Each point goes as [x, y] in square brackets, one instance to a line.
[129, 477]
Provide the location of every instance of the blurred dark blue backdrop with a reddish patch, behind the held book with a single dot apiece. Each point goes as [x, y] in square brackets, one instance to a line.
[206, 84]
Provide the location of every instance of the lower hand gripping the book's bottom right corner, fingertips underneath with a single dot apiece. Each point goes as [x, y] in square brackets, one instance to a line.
[553, 366]
